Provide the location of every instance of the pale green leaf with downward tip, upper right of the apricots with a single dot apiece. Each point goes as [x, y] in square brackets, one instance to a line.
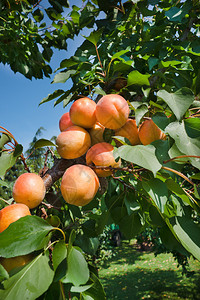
[179, 102]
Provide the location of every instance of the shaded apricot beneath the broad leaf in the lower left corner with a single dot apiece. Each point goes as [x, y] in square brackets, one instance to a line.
[15, 262]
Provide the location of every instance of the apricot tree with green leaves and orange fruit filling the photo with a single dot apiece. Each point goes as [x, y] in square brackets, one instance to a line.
[146, 53]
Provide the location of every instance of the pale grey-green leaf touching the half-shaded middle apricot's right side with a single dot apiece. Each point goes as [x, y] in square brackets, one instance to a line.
[140, 155]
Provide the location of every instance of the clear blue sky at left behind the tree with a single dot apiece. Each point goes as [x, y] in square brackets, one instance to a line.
[20, 112]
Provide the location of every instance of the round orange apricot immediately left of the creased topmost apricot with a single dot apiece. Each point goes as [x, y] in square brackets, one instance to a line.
[82, 112]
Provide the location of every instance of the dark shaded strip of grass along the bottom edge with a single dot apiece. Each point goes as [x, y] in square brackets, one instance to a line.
[144, 284]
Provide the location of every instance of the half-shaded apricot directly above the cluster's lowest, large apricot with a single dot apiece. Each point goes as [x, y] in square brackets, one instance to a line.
[101, 154]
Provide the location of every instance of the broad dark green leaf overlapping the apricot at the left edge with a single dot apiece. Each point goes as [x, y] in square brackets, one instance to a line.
[27, 234]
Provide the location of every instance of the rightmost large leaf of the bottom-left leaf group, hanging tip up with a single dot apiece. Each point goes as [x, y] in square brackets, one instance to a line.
[77, 268]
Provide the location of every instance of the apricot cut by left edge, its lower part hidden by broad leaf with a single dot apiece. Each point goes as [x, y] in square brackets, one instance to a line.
[12, 213]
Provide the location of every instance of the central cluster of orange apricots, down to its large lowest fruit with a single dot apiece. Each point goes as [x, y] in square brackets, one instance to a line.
[82, 132]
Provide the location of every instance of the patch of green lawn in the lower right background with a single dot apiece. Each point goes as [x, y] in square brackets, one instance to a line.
[140, 275]
